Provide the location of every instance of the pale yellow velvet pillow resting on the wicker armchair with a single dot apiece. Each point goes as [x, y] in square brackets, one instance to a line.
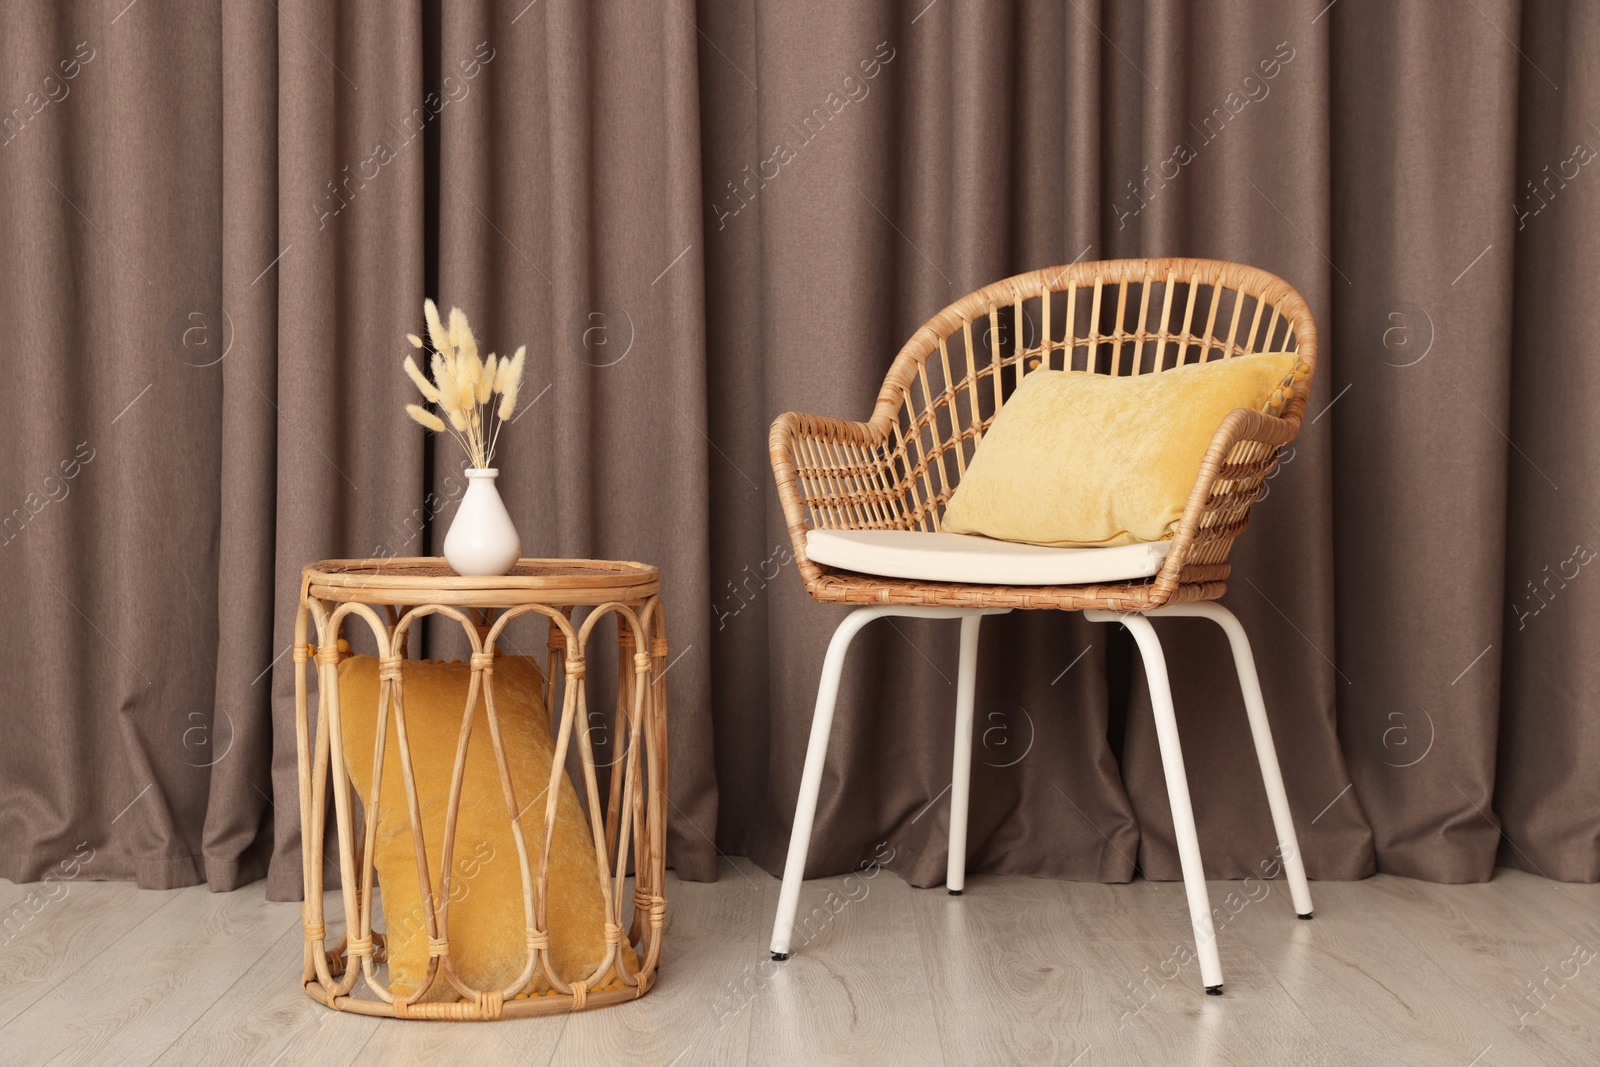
[1086, 462]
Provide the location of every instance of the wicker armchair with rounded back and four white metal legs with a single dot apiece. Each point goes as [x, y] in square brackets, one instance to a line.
[898, 470]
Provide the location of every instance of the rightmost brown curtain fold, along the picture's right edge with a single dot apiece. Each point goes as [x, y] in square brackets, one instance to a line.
[1550, 679]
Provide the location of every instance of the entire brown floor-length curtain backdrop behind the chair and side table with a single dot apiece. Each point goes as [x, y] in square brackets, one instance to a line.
[218, 220]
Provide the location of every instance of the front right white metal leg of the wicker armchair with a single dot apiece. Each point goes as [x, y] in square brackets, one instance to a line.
[1177, 793]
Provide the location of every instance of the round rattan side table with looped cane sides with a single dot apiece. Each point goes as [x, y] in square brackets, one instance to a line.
[634, 826]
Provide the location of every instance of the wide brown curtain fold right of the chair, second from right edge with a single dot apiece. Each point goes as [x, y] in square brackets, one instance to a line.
[1426, 354]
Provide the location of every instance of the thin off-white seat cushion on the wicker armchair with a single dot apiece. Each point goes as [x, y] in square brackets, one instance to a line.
[950, 557]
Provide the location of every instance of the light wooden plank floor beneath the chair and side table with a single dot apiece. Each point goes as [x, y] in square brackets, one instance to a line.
[1018, 970]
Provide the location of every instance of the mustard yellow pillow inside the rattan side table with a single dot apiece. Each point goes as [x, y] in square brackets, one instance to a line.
[487, 943]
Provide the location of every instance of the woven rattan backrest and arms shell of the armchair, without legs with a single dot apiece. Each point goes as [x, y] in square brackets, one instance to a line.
[898, 470]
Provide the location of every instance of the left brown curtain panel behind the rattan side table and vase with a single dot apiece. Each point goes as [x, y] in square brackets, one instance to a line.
[242, 207]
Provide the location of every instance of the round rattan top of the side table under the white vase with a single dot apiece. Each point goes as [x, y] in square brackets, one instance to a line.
[430, 580]
